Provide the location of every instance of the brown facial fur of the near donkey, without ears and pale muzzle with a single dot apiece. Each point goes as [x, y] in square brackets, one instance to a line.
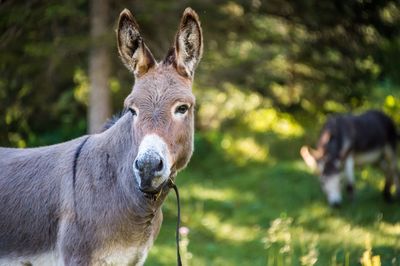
[154, 97]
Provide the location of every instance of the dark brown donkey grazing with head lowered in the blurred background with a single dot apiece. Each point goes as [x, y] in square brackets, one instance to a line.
[349, 140]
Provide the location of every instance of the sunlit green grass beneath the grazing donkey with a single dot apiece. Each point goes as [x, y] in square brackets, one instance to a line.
[272, 212]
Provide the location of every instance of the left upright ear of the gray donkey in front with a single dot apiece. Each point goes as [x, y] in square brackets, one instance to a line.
[131, 47]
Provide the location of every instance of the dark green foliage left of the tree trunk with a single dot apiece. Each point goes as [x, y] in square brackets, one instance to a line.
[41, 45]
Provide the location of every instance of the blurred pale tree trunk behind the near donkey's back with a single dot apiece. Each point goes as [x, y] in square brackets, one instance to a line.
[99, 66]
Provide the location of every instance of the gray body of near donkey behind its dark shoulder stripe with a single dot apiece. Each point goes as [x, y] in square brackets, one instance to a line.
[30, 196]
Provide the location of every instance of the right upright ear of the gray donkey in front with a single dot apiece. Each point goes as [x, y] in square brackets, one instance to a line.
[188, 43]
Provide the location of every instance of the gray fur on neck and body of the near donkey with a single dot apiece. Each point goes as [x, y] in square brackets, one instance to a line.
[37, 211]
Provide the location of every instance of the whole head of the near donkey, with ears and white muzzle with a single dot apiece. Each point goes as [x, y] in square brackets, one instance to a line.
[161, 101]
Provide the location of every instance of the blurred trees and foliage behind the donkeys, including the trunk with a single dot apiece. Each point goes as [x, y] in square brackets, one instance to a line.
[302, 58]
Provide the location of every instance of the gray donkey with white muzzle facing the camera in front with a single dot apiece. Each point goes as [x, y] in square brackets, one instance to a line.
[96, 200]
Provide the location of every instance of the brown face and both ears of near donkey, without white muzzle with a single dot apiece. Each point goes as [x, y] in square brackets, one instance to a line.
[161, 86]
